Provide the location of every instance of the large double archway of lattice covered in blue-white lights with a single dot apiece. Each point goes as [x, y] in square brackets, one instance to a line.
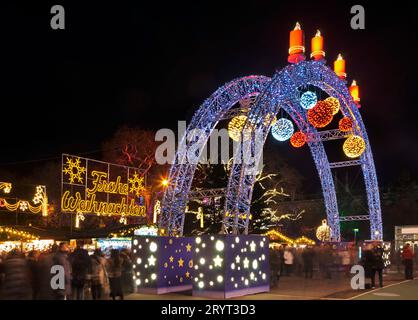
[282, 91]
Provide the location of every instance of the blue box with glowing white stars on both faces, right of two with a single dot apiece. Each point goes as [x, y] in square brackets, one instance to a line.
[228, 266]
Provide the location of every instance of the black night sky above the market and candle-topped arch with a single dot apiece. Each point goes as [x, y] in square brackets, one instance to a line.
[150, 65]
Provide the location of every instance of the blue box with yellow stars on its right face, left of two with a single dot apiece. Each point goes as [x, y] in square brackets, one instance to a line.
[162, 264]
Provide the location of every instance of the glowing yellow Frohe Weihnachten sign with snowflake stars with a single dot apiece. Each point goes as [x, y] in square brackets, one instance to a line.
[101, 188]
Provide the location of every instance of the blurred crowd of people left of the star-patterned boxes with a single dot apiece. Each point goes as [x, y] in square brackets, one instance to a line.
[29, 276]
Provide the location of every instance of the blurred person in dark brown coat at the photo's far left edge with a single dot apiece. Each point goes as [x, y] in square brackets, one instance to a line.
[16, 285]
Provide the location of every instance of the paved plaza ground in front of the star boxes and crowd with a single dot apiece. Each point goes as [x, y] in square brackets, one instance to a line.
[298, 288]
